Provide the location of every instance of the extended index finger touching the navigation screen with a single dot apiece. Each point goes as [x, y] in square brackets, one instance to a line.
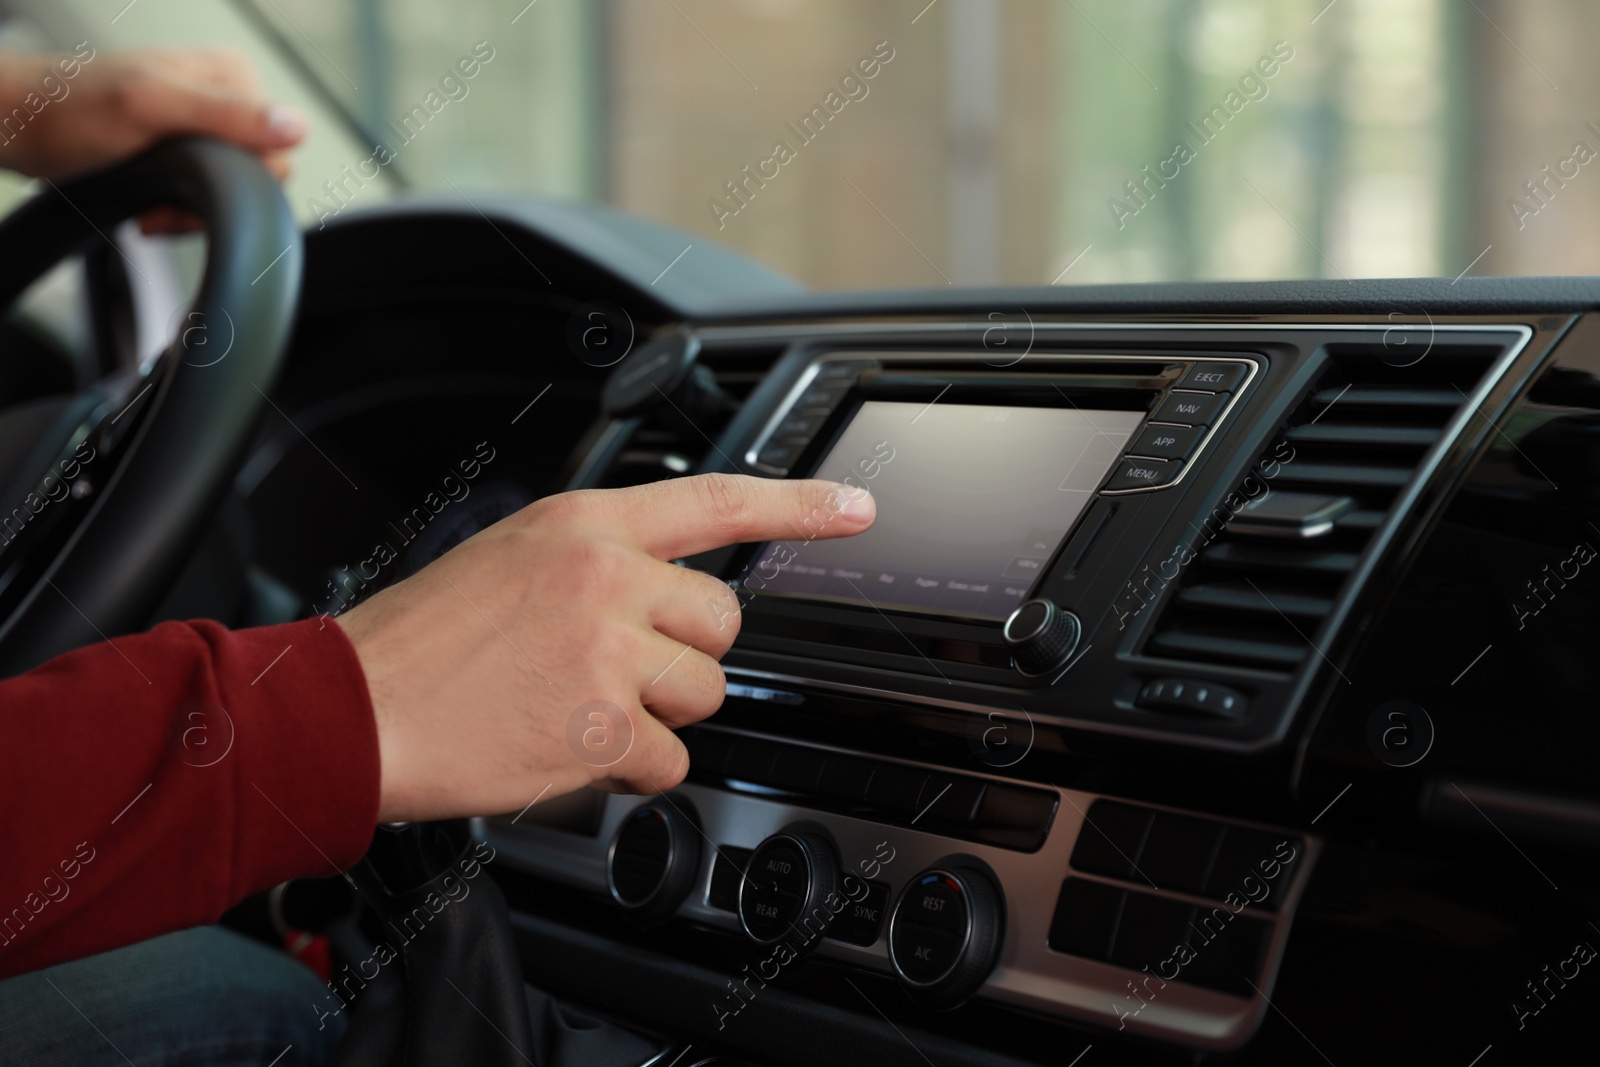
[687, 516]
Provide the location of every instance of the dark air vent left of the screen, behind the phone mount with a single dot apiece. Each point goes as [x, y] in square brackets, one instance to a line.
[670, 442]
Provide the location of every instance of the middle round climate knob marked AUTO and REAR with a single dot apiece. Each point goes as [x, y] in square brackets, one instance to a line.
[786, 889]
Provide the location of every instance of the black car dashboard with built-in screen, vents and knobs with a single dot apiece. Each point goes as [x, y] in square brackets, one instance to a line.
[1218, 671]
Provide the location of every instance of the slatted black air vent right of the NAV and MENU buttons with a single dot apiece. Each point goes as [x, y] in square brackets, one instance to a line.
[1266, 577]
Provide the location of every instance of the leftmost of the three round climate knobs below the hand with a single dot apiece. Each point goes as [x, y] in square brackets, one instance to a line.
[654, 860]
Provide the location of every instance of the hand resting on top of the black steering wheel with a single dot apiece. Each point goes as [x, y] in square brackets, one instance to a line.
[118, 105]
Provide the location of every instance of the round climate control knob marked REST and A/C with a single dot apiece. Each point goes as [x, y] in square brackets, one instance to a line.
[946, 932]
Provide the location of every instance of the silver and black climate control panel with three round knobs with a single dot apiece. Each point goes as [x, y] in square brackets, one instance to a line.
[1057, 901]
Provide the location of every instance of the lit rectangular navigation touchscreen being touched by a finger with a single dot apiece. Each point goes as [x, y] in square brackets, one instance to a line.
[974, 502]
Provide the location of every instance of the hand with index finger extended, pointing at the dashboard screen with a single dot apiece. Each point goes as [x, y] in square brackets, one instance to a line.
[562, 639]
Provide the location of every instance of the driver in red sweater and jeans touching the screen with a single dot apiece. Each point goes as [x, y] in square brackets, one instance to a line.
[447, 695]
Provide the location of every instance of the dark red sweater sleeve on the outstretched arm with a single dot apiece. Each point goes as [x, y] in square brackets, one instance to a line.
[151, 783]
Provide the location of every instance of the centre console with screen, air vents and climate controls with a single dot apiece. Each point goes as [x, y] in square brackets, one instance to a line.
[991, 746]
